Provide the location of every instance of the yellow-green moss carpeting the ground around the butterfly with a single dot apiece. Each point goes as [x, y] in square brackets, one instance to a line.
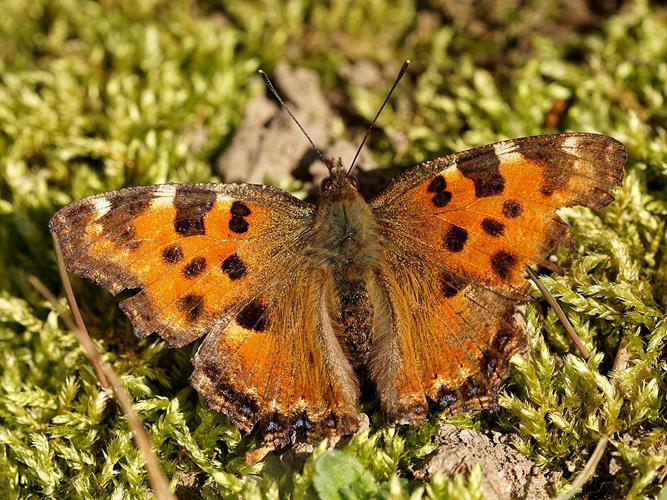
[94, 96]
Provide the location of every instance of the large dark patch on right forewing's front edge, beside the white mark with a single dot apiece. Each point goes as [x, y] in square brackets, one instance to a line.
[481, 165]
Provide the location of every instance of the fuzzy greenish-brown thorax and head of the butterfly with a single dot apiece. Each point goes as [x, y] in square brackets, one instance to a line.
[345, 236]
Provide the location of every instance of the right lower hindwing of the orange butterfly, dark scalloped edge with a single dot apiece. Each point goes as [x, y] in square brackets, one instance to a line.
[451, 347]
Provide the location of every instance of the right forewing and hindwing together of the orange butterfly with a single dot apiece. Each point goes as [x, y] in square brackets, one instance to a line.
[459, 231]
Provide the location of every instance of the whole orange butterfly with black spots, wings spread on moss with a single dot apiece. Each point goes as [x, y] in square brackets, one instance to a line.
[416, 287]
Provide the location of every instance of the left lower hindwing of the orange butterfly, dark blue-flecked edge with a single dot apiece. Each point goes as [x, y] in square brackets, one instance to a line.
[281, 364]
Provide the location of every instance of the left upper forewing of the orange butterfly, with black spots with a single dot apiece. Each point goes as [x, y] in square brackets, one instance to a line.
[197, 252]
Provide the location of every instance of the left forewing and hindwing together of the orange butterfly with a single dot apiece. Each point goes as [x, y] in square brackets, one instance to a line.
[208, 258]
